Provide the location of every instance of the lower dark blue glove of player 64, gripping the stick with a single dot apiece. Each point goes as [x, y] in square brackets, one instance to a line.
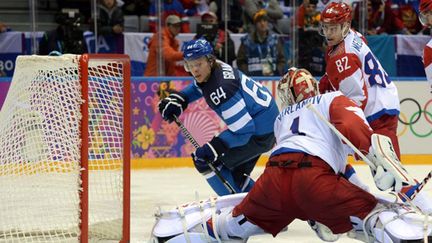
[208, 153]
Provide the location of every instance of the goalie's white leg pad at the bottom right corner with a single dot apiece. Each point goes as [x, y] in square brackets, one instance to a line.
[391, 223]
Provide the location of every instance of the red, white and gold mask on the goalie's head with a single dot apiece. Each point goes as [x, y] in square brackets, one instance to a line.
[297, 85]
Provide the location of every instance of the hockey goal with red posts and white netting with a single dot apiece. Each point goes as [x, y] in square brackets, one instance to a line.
[64, 150]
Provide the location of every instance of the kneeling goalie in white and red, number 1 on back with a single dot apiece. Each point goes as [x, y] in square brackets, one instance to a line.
[301, 180]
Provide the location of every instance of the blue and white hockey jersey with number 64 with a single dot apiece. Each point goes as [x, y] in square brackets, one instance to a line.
[246, 107]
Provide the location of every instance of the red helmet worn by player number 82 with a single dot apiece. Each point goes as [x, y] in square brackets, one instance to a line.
[336, 13]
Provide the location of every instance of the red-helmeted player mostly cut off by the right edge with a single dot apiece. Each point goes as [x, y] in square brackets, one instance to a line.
[425, 17]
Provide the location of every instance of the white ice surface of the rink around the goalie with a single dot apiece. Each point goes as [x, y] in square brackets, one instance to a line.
[169, 187]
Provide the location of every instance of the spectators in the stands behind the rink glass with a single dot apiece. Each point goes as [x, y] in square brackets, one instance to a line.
[260, 48]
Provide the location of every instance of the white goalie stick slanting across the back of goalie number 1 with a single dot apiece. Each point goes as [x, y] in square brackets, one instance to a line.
[401, 194]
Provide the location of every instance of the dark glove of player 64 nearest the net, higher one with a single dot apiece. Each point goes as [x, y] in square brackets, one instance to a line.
[173, 105]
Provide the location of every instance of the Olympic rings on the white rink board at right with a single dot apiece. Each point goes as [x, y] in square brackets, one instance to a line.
[415, 117]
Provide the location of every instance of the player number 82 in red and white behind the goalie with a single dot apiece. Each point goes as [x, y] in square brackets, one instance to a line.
[354, 70]
